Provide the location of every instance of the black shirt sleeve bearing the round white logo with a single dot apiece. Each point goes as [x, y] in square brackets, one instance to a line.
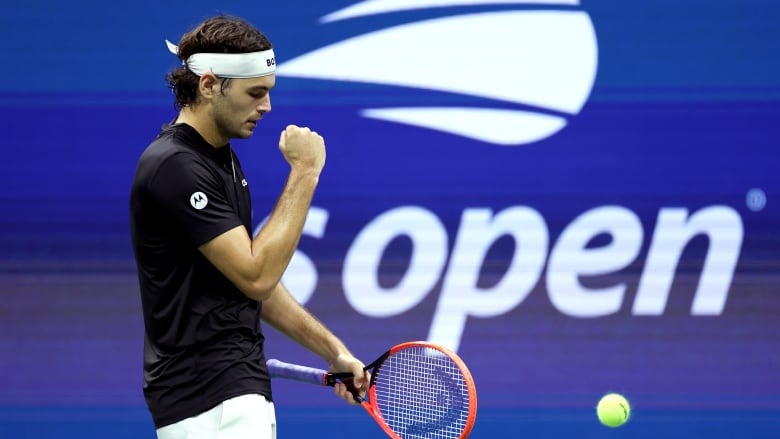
[194, 197]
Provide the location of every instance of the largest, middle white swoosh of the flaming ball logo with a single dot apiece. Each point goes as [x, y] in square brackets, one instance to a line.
[540, 58]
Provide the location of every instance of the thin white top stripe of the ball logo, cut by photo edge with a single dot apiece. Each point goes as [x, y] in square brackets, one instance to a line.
[373, 7]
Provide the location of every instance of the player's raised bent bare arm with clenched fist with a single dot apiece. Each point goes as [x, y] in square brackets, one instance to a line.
[256, 265]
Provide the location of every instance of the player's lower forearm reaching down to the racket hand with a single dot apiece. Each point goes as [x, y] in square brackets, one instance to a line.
[285, 314]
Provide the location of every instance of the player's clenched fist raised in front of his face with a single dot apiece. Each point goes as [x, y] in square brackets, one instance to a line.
[303, 148]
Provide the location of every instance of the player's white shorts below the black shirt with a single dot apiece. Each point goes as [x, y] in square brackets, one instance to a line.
[242, 417]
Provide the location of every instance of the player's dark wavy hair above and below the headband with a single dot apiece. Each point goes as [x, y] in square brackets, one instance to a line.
[220, 34]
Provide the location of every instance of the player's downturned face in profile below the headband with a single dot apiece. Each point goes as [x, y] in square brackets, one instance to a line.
[243, 104]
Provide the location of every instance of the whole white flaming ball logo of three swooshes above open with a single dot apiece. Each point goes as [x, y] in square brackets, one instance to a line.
[537, 65]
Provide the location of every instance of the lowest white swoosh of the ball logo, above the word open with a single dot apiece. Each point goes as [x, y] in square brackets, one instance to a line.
[501, 127]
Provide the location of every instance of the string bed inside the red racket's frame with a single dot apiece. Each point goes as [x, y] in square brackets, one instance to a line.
[422, 393]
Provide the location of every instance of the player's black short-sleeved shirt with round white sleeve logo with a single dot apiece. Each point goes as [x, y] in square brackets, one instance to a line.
[203, 342]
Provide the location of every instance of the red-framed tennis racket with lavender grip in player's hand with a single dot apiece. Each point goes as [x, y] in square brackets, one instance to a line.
[417, 390]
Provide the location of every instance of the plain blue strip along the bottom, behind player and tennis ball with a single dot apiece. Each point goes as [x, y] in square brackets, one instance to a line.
[134, 422]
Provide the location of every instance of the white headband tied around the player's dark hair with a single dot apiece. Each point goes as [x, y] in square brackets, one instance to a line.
[229, 65]
